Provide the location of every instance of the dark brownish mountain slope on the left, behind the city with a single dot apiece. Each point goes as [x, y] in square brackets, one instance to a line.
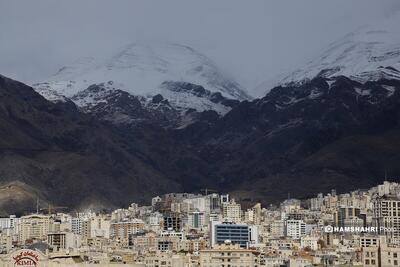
[53, 152]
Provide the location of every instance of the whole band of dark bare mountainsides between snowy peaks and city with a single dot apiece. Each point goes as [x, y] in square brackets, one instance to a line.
[303, 139]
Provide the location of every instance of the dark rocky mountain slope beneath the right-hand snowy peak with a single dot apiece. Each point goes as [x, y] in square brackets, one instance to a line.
[304, 139]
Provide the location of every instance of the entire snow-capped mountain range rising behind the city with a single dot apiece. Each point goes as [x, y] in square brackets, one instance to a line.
[157, 119]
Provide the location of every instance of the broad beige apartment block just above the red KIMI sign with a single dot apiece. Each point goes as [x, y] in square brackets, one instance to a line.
[35, 226]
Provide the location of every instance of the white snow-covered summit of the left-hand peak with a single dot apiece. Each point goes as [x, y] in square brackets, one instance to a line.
[145, 71]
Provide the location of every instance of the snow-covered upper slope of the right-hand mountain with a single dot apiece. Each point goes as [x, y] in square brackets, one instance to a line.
[368, 54]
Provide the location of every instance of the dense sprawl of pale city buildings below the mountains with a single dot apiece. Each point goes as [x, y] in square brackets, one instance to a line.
[360, 228]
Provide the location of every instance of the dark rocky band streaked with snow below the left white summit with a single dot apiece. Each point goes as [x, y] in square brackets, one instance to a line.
[120, 107]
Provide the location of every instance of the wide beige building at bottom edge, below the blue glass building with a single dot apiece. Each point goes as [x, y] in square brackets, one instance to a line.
[228, 255]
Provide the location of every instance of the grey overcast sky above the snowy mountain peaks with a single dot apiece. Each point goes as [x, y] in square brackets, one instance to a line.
[252, 40]
